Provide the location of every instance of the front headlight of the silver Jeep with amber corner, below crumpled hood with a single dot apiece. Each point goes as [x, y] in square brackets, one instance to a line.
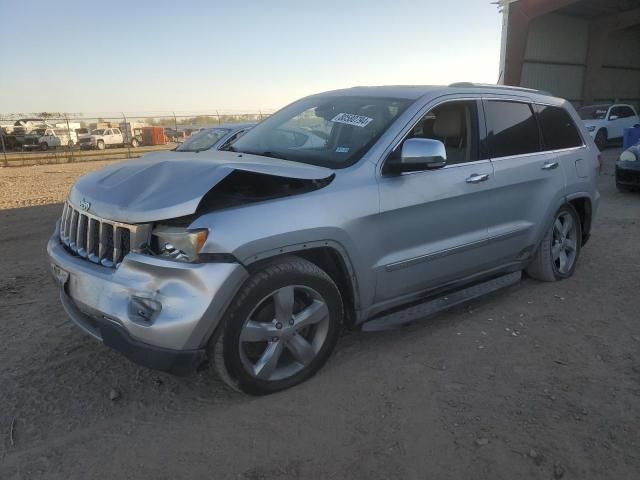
[178, 243]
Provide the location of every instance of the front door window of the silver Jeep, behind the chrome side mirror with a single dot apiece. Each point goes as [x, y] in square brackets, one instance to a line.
[456, 125]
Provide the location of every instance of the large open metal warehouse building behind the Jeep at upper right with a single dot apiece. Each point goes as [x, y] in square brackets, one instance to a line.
[587, 51]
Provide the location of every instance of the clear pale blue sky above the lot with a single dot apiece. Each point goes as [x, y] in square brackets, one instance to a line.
[232, 56]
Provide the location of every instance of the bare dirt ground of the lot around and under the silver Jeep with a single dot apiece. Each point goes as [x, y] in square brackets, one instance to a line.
[540, 381]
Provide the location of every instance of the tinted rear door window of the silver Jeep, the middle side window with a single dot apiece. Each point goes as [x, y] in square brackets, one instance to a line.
[512, 127]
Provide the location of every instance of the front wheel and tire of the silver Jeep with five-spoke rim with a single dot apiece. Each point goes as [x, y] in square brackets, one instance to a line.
[280, 329]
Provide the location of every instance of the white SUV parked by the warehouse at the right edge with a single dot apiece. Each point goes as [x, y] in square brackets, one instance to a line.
[607, 122]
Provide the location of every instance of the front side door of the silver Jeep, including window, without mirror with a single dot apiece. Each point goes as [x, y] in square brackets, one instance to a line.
[433, 226]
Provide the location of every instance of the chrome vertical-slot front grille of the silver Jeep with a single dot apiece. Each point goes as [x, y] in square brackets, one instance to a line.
[100, 241]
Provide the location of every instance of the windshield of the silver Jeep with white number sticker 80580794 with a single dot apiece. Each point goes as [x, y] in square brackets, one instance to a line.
[332, 132]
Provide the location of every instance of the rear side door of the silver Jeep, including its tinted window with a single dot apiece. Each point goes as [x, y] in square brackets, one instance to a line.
[529, 183]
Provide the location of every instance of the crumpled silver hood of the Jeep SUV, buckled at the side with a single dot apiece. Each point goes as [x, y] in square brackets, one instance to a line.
[170, 184]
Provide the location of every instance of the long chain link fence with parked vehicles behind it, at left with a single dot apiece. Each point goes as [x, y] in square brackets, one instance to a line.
[34, 139]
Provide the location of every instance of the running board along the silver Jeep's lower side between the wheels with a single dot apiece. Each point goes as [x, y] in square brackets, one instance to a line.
[440, 304]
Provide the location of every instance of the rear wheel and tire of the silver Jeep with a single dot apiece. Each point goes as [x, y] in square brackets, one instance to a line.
[558, 253]
